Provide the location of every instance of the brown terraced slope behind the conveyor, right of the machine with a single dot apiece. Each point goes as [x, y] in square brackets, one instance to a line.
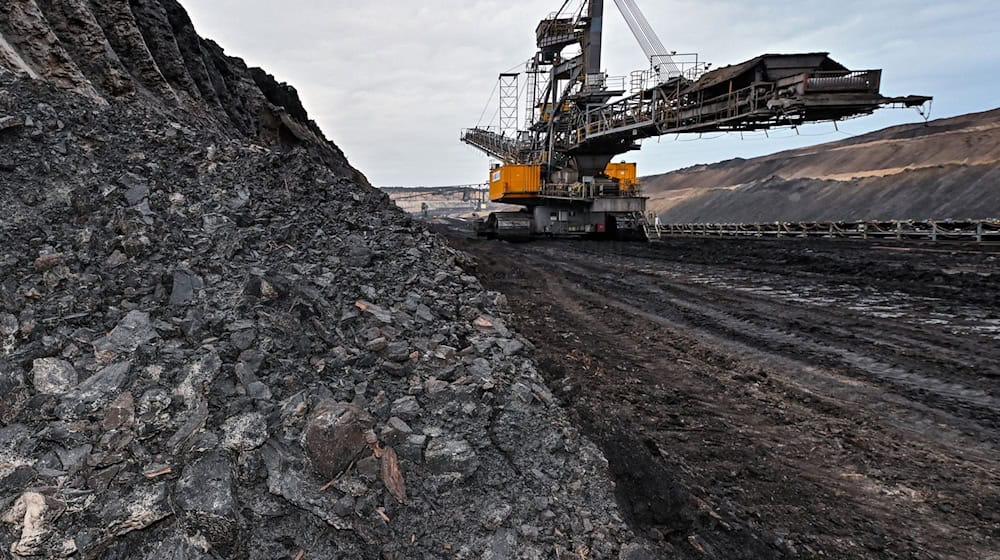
[948, 169]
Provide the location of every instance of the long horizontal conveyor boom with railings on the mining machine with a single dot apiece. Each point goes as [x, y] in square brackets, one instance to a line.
[766, 92]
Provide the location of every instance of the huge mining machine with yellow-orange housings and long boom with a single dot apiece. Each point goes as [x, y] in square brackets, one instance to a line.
[560, 167]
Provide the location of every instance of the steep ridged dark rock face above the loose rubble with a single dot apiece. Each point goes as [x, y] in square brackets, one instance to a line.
[105, 50]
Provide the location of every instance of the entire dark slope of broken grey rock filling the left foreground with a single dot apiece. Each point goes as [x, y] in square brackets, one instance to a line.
[218, 341]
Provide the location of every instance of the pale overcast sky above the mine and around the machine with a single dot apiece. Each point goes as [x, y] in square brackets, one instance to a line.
[393, 82]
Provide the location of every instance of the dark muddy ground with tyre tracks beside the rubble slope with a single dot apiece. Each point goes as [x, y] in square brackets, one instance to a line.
[789, 399]
